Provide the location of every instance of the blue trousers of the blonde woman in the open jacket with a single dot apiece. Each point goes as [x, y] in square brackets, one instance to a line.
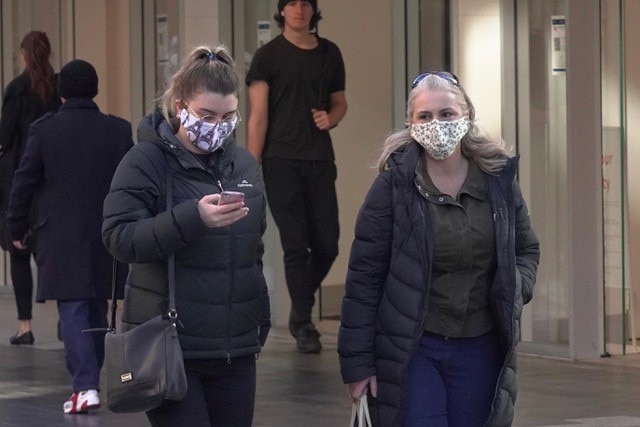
[451, 381]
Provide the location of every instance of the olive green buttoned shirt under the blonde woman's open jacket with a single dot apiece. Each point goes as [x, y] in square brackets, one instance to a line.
[464, 256]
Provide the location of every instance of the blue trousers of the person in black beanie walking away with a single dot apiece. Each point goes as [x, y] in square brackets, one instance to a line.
[84, 352]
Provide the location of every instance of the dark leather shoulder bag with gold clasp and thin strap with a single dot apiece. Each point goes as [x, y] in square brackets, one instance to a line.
[144, 366]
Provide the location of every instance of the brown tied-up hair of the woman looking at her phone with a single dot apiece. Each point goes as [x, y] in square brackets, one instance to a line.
[207, 69]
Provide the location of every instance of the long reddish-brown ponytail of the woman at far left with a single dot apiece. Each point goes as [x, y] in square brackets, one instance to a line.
[36, 51]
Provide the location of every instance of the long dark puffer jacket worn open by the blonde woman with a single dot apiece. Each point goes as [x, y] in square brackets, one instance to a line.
[385, 300]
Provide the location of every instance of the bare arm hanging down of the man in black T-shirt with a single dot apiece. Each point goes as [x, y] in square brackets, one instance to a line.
[259, 118]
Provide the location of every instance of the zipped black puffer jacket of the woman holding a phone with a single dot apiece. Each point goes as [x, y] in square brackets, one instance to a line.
[221, 293]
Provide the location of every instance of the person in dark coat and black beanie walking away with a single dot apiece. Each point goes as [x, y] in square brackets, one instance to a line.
[69, 160]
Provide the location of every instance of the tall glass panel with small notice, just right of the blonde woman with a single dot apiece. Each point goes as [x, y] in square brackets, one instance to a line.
[542, 138]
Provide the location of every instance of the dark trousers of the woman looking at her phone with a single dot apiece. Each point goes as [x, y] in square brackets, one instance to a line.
[220, 394]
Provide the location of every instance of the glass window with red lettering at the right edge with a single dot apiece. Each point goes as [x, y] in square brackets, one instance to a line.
[621, 204]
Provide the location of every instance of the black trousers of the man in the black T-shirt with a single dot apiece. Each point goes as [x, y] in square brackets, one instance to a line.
[303, 202]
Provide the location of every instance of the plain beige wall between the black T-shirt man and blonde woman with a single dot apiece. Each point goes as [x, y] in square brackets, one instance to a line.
[369, 92]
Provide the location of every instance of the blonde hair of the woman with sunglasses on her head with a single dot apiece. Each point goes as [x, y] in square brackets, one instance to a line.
[489, 154]
